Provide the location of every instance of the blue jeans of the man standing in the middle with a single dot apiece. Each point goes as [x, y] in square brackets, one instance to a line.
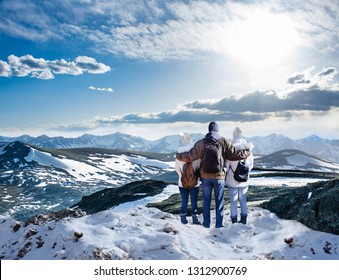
[218, 186]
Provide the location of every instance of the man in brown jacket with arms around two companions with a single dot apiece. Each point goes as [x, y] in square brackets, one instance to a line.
[213, 150]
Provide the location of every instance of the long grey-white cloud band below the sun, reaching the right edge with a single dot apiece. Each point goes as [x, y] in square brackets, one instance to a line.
[319, 95]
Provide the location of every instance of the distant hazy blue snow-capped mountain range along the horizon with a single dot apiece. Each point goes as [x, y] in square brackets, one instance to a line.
[263, 145]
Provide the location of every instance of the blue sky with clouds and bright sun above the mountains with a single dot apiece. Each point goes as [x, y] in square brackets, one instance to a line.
[153, 68]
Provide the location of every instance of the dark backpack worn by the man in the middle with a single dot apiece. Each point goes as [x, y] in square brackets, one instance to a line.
[213, 161]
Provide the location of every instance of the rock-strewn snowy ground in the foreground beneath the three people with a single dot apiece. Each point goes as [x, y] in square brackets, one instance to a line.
[133, 231]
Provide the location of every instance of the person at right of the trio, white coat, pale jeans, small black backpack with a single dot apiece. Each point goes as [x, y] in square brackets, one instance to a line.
[238, 190]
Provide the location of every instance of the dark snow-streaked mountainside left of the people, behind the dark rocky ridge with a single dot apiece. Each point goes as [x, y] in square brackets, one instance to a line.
[35, 180]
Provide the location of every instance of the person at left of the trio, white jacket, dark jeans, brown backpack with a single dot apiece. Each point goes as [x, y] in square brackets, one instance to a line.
[185, 146]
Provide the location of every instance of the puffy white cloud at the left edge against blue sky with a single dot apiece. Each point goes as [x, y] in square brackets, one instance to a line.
[28, 66]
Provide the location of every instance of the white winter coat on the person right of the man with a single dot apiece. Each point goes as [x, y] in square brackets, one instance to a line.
[239, 144]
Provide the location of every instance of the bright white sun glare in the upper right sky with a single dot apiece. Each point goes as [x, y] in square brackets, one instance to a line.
[262, 40]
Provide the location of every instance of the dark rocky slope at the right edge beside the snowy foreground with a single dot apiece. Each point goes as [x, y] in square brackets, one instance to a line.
[315, 205]
